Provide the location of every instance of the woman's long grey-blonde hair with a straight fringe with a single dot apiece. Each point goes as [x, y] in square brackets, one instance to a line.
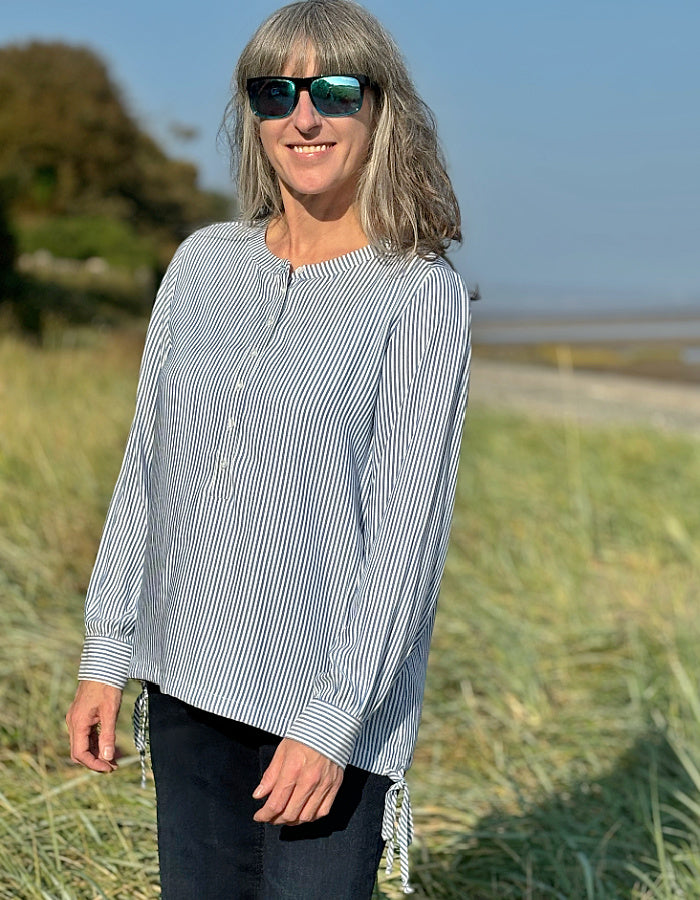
[405, 201]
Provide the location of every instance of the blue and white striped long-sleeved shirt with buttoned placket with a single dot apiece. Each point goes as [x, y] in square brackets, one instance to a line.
[274, 545]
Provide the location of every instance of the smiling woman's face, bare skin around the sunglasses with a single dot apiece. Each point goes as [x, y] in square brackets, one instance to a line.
[318, 156]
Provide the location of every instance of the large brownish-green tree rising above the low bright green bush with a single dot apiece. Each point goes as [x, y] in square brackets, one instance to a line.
[72, 147]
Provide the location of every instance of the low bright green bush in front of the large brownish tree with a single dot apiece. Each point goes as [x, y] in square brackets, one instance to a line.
[74, 237]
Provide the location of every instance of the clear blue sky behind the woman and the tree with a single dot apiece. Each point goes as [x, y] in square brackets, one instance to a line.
[571, 129]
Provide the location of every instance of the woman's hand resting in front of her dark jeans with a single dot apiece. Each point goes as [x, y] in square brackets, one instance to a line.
[300, 785]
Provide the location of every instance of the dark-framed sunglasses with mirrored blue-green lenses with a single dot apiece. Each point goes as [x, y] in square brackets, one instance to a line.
[332, 95]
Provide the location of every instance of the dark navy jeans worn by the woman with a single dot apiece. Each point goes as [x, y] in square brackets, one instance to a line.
[206, 767]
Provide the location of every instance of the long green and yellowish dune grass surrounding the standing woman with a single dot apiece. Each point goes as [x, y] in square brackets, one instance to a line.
[559, 754]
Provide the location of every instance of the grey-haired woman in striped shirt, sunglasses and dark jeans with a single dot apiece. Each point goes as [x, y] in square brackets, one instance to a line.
[270, 563]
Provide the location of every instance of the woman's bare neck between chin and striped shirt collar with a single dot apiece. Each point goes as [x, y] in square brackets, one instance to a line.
[313, 230]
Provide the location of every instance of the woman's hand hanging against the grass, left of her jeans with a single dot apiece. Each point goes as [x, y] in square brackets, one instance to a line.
[92, 722]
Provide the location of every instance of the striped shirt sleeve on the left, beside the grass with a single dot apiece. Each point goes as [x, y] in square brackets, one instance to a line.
[113, 592]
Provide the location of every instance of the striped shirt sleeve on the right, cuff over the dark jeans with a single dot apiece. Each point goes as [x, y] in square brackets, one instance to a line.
[408, 496]
